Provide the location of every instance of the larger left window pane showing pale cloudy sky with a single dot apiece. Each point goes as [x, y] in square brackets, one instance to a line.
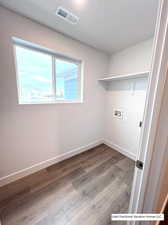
[34, 75]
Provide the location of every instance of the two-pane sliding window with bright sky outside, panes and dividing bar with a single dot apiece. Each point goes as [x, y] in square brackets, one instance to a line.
[46, 77]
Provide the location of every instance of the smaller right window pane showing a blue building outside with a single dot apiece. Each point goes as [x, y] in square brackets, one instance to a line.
[66, 80]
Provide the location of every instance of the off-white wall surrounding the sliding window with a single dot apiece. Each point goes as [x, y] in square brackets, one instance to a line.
[32, 134]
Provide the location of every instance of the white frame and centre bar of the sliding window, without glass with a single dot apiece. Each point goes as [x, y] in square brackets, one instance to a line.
[54, 56]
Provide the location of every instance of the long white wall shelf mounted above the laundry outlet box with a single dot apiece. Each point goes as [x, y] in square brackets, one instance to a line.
[126, 76]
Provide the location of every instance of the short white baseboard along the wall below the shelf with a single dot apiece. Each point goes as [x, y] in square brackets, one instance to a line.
[119, 149]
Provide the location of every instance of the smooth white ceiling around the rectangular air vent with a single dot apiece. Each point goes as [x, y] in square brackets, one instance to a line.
[108, 25]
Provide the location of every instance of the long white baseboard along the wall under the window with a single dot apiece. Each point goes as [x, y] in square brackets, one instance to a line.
[35, 168]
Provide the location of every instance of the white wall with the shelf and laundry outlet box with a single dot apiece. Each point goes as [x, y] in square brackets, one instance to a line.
[128, 96]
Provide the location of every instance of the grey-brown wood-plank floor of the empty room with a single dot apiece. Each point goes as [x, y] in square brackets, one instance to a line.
[83, 190]
